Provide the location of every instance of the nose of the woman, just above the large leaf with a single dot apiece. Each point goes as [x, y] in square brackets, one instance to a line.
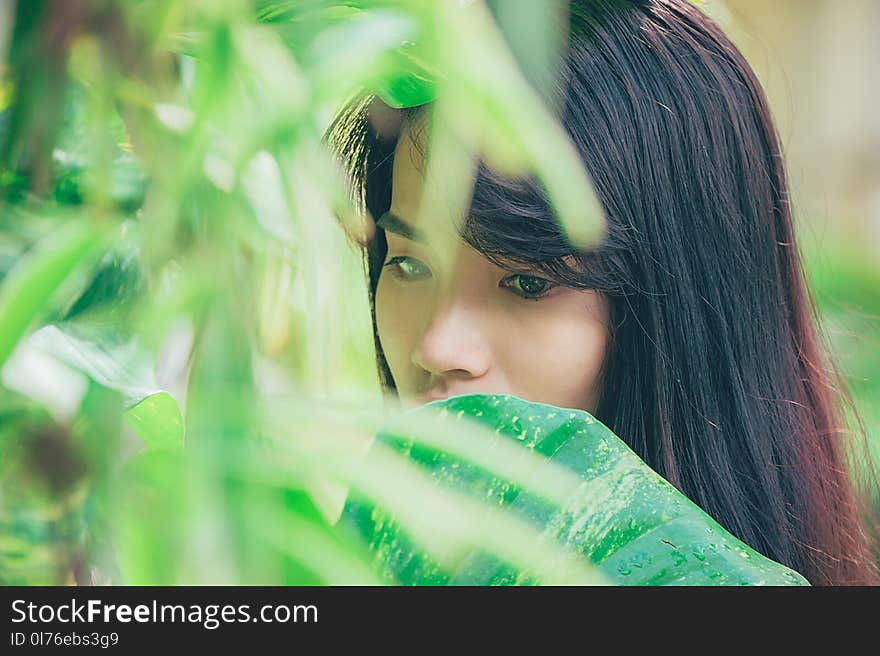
[454, 344]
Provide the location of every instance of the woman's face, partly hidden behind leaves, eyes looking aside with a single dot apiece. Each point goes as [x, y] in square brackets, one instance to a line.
[476, 327]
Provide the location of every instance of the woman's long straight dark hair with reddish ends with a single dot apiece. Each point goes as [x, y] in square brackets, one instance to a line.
[715, 373]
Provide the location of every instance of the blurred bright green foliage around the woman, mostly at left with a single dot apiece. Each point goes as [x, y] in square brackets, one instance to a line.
[188, 383]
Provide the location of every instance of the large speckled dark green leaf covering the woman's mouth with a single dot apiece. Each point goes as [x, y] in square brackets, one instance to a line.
[634, 527]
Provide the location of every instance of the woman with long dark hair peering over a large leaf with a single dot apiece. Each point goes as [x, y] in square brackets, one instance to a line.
[689, 330]
